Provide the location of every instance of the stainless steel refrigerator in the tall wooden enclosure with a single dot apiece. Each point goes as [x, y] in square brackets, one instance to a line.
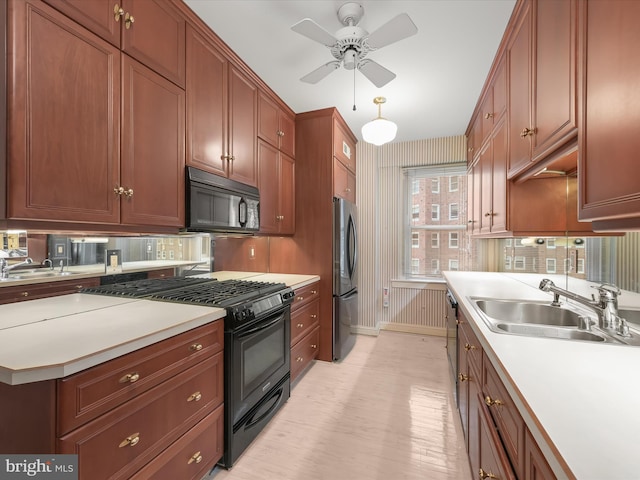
[345, 276]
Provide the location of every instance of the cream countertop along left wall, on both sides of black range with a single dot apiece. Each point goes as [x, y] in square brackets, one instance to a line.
[58, 336]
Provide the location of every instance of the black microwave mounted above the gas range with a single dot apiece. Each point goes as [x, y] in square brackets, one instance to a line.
[218, 204]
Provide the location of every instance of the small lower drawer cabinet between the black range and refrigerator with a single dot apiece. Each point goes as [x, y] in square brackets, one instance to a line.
[305, 328]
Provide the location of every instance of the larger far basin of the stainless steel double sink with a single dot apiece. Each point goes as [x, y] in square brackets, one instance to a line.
[528, 312]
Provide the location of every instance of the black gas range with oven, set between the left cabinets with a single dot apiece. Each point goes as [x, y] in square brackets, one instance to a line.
[257, 351]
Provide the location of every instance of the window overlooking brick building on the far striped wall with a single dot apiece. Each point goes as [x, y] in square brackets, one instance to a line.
[433, 217]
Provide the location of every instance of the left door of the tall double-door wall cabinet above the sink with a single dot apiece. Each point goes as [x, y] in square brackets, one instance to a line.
[519, 97]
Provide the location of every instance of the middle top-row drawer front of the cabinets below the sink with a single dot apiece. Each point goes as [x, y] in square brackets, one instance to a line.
[505, 414]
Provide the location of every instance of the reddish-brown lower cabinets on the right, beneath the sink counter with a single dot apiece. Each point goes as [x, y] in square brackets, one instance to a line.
[497, 439]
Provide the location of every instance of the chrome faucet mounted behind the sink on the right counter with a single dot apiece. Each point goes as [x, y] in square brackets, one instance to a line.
[606, 306]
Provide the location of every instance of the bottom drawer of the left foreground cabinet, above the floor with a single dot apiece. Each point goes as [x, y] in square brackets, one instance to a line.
[193, 455]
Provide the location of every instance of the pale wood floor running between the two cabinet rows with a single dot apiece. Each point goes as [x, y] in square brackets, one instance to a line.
[385, 412]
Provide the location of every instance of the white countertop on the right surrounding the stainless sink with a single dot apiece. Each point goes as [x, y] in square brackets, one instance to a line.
[578, 399]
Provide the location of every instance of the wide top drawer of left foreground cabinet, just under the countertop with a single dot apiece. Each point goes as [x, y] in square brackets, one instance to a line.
[87, 394]
